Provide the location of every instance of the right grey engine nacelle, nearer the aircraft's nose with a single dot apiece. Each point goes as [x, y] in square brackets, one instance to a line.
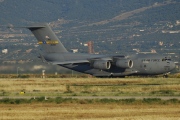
[124, 63]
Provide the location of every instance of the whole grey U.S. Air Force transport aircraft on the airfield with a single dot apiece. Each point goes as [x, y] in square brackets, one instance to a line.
[98, 65]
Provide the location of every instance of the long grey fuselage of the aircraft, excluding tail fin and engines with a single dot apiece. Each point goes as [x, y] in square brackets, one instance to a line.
[143, 64]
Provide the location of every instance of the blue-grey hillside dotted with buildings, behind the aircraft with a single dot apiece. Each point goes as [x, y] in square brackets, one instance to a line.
[118, 26]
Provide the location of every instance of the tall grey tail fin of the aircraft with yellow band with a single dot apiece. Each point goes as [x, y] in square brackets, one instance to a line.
[47, 38]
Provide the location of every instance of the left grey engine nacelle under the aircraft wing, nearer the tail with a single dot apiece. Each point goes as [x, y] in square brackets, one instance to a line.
[101, 64]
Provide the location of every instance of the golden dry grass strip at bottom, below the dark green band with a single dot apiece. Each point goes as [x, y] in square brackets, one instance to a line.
[89, 111]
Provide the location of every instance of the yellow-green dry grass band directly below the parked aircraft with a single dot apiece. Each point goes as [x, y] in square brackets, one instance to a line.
[90, 87]
